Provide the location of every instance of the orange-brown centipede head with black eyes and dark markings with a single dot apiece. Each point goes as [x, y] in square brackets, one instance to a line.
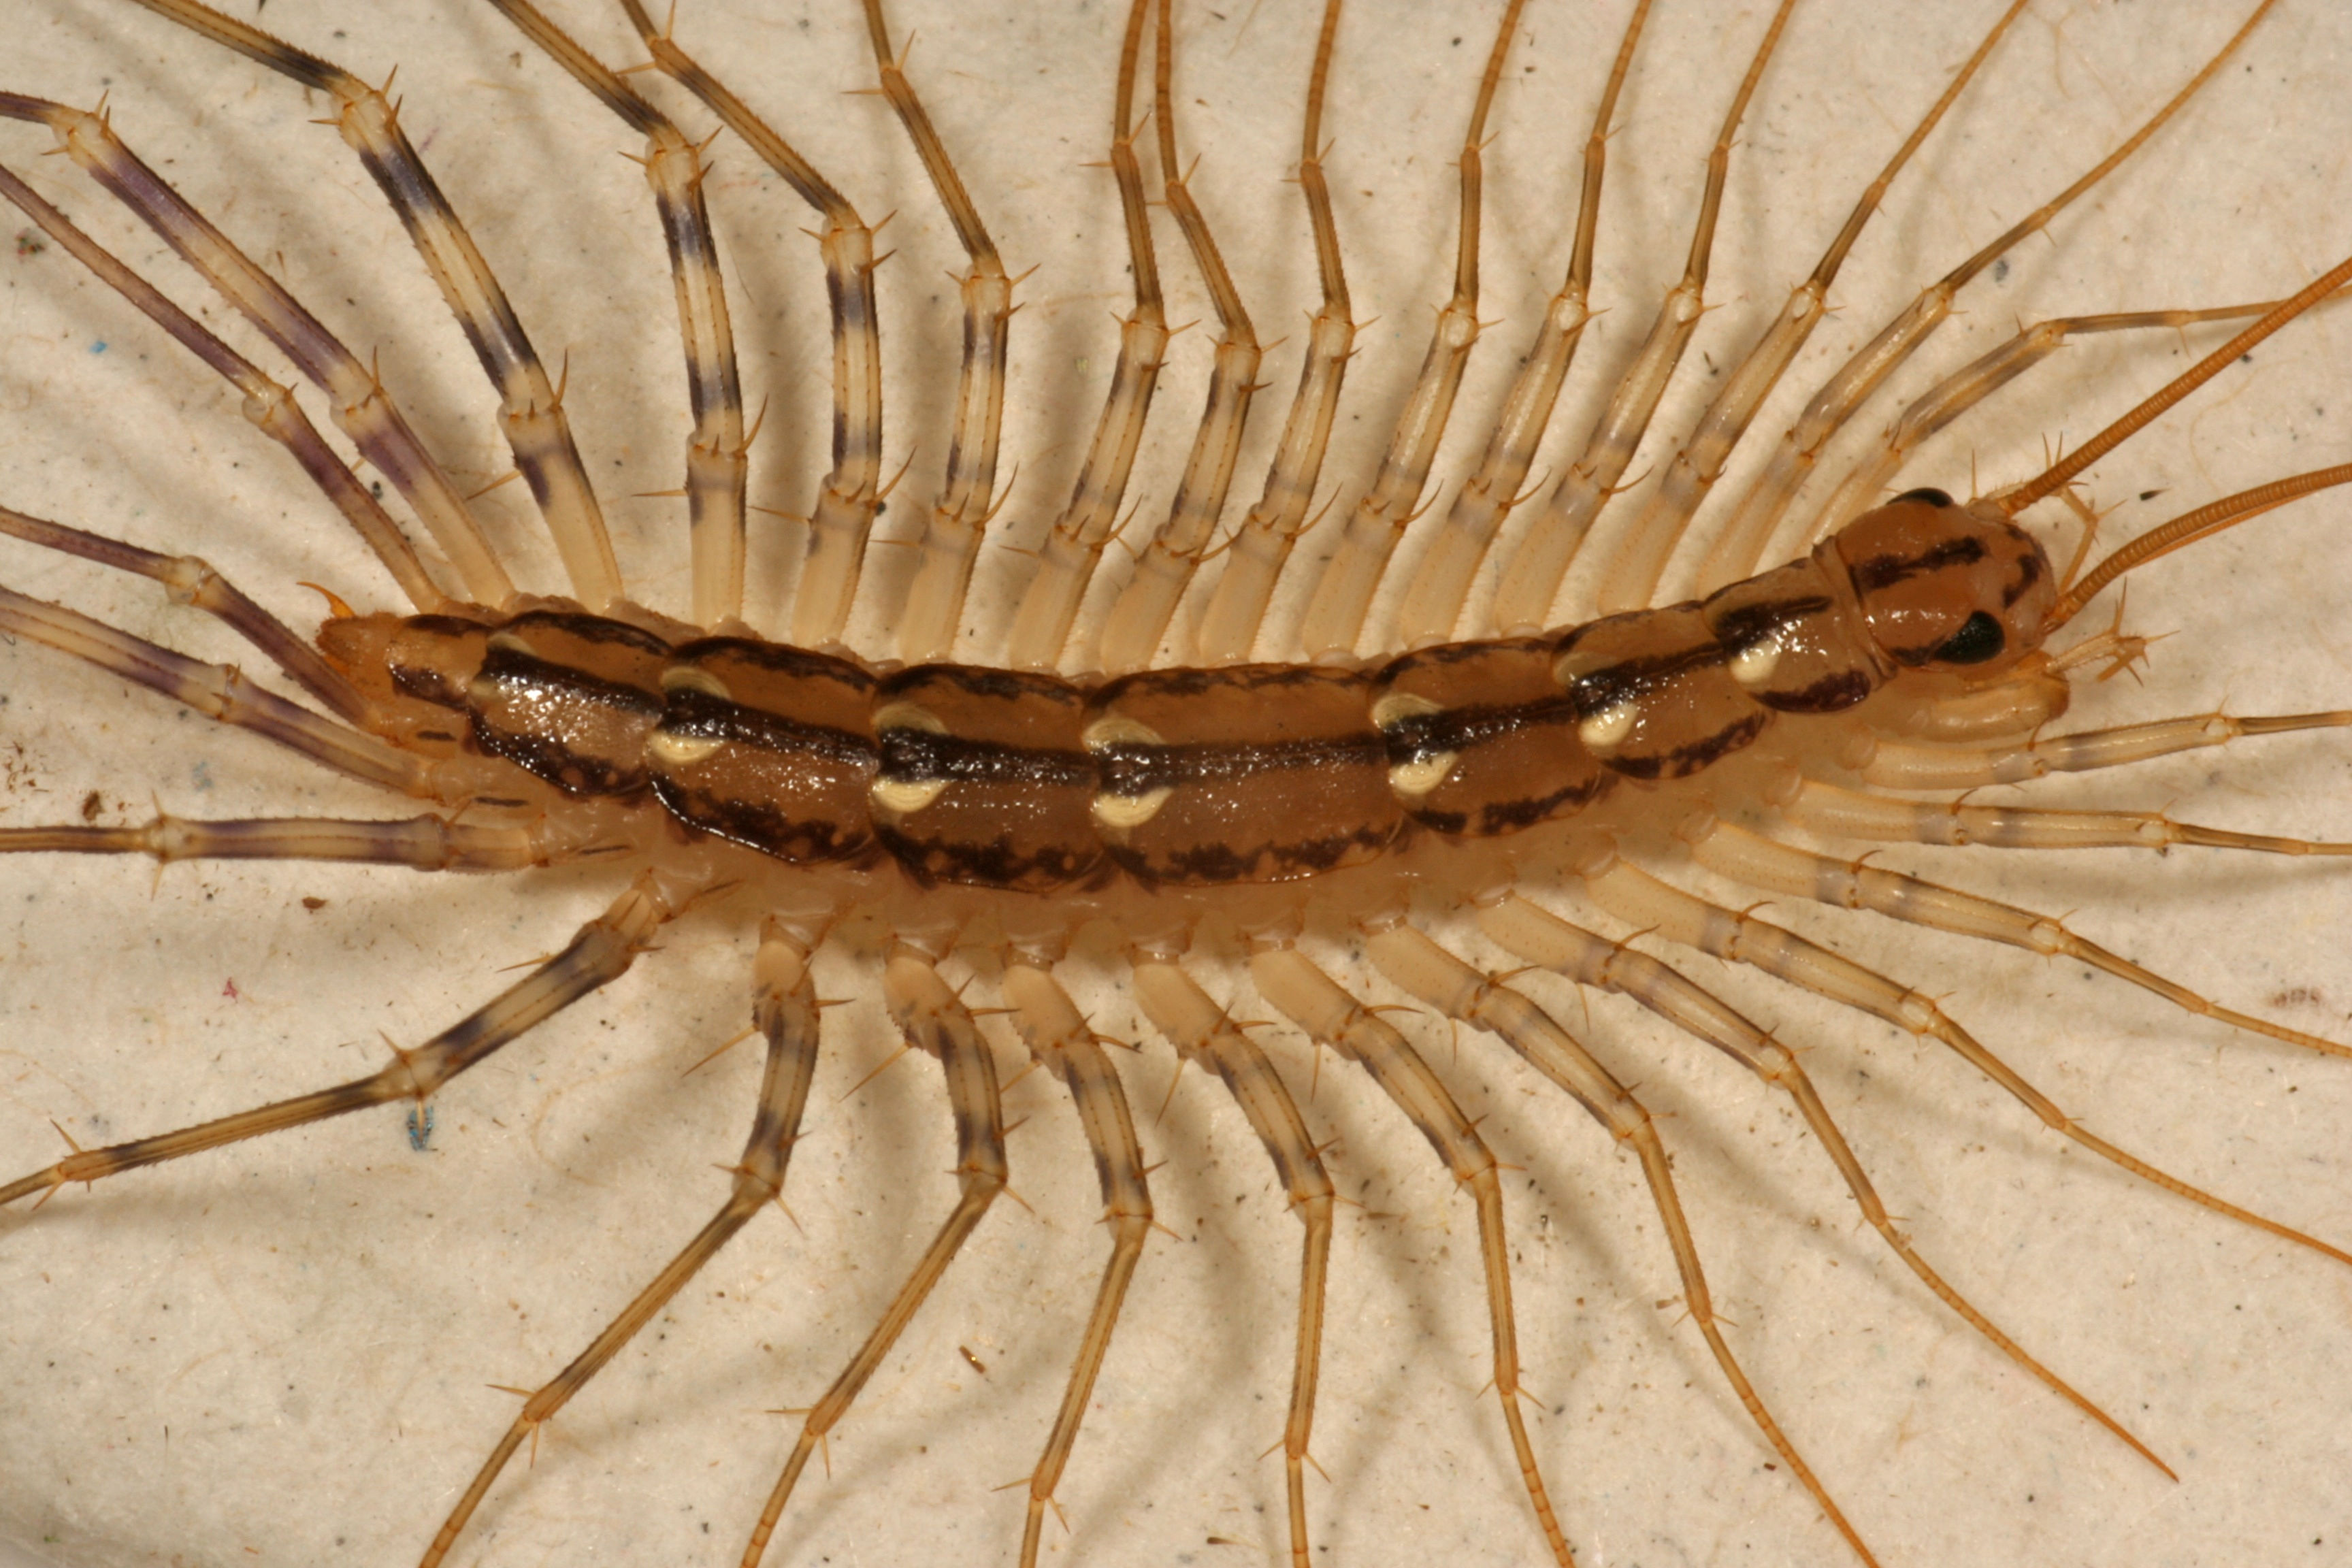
[1946, 587]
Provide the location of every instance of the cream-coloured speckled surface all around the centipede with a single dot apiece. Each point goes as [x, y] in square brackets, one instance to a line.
[281, 1353]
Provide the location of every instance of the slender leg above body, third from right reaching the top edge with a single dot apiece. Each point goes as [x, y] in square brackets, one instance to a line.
[1544, 556]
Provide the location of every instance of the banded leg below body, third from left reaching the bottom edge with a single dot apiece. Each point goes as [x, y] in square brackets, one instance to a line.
[1071, 1052]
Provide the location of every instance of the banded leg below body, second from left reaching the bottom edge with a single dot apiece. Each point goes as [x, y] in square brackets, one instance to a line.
[937, 1024]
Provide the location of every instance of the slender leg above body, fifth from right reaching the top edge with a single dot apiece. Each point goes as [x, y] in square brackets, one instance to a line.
[1335, 617]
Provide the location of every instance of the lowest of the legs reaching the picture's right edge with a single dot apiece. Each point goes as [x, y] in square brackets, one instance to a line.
[1744, 939]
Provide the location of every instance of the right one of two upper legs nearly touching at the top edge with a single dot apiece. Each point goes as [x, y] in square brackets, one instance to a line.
[1132, 631]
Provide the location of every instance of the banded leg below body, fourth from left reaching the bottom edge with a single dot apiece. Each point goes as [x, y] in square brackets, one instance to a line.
[1203, 1033]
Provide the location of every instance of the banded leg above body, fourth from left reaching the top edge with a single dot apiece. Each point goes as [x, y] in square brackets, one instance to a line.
[935, 601]
